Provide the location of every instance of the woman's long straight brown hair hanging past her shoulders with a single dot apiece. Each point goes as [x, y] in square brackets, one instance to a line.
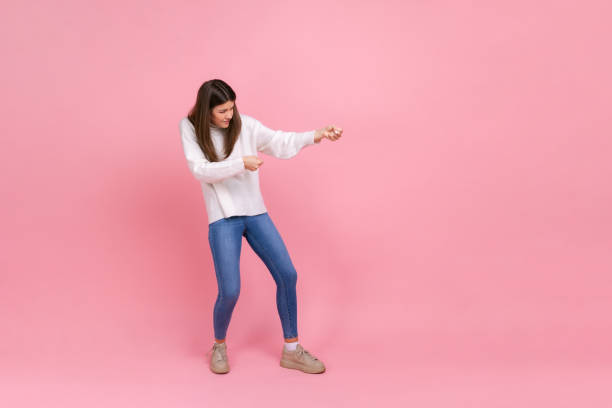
[212, 93]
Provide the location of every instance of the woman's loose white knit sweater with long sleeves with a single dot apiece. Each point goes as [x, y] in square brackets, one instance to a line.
[229, 188]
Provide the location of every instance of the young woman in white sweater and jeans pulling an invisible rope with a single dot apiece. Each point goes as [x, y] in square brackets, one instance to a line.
[221, 147]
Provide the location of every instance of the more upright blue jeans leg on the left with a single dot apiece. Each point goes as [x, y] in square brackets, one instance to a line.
[225, 239]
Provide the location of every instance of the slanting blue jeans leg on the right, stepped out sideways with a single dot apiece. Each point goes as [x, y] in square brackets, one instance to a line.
[264, 238]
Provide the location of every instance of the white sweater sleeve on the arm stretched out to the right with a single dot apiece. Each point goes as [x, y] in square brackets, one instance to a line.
[280, 144]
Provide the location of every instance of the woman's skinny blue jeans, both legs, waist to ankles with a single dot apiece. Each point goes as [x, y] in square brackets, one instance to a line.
[225, 238]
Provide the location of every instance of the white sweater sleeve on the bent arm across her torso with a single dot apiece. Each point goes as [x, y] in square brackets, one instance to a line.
[200, 167]
